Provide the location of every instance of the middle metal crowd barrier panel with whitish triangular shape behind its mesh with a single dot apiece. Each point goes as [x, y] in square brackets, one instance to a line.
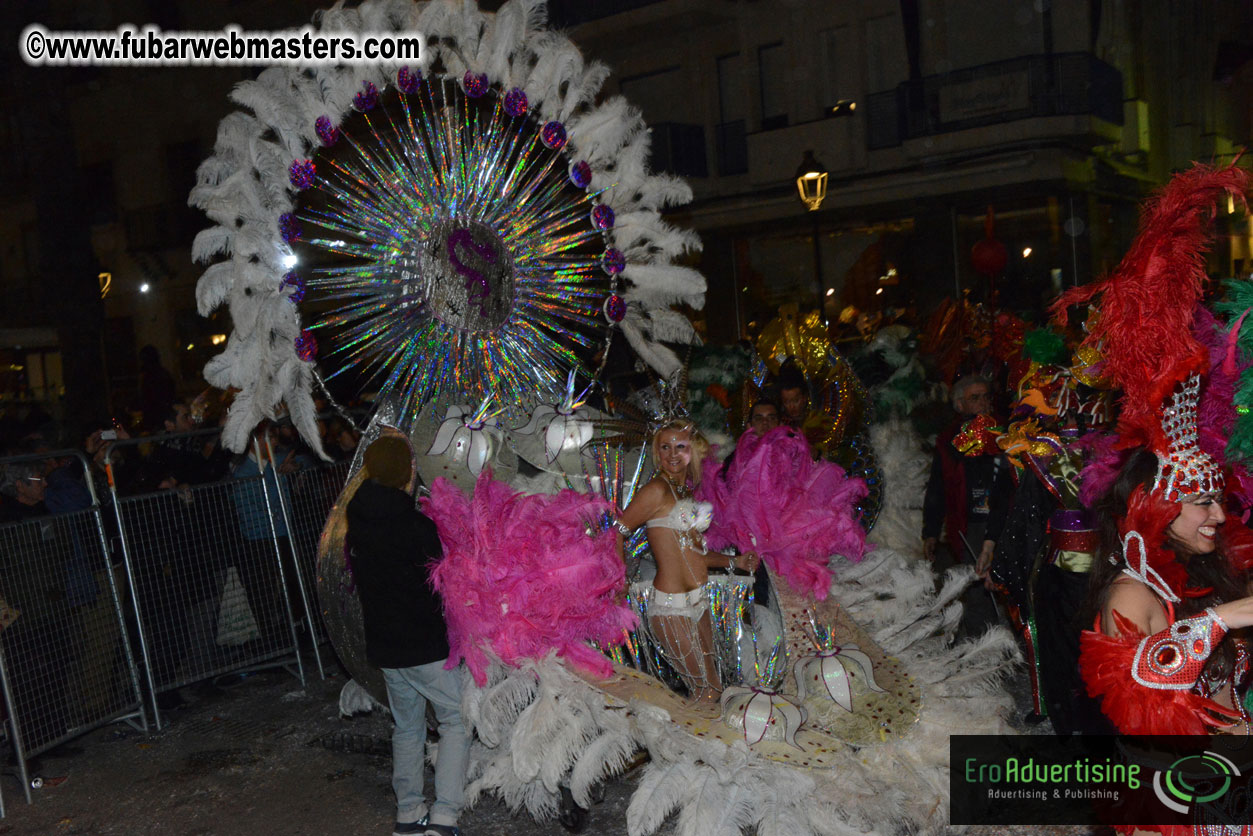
[212, 573]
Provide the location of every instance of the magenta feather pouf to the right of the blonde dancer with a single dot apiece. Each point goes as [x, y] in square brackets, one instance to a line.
[776, 501]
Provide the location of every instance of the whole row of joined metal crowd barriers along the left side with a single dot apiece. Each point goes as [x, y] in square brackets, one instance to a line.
[210, 580]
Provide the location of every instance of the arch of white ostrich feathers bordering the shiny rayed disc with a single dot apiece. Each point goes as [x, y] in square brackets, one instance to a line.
[244, 187]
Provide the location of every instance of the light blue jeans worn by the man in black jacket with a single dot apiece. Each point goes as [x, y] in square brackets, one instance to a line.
[408, 692]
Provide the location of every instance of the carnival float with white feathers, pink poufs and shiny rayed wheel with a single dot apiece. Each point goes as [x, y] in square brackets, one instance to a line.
[479, 233]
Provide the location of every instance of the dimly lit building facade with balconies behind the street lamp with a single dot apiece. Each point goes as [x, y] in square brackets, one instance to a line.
[1049, 118]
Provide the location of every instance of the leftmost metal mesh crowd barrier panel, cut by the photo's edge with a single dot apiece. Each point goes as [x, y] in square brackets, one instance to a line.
[67, 665]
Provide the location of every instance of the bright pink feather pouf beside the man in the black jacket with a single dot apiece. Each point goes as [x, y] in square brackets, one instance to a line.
[522, 577]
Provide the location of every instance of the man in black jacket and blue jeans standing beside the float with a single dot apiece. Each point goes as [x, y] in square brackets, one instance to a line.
[393, 543]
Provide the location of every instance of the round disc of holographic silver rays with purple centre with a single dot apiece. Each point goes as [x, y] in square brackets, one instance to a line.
[468, 264]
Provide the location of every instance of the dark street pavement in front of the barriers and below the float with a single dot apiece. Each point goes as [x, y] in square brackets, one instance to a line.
[261, 755]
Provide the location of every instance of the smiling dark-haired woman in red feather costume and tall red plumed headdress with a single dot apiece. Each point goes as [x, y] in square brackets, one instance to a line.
[1170, 605]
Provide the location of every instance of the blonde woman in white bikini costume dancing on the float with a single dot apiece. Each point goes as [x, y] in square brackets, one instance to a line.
[676, 602]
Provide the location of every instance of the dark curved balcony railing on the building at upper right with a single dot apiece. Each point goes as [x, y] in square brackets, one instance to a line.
[1021, 88]
